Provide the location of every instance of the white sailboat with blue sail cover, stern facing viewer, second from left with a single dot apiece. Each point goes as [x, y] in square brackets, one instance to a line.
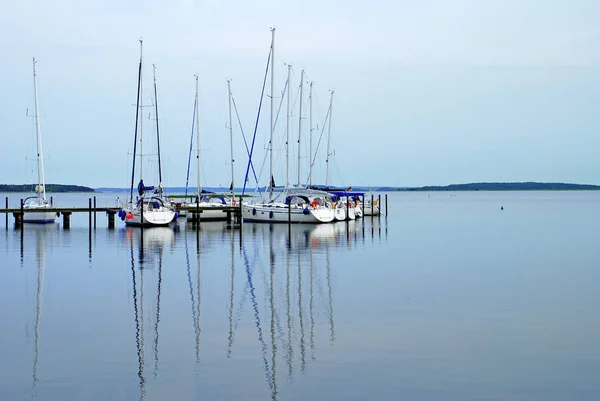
[149, 207]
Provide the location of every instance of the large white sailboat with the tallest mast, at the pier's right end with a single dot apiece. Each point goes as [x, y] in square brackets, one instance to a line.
[295, 205]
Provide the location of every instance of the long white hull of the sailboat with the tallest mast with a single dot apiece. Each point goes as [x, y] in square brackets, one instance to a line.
[281, 213]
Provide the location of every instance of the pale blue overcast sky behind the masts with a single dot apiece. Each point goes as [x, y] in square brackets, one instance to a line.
[426, 92]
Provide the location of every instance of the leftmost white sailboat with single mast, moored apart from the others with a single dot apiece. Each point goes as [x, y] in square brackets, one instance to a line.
[38, 202]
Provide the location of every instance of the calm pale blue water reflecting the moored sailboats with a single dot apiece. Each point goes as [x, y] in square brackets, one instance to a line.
[448, 298]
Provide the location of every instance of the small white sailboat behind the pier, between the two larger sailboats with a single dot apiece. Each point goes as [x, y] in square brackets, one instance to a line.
[205, 200]
